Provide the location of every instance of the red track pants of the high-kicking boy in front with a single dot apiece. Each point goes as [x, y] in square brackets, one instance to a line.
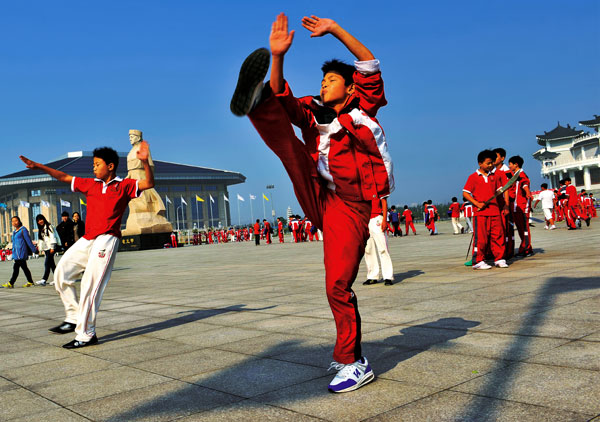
[344, 223]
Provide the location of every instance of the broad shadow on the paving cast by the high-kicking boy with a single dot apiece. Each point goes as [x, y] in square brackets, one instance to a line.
[254, 377]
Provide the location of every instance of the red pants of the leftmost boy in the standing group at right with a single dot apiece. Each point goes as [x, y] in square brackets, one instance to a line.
[487, 231]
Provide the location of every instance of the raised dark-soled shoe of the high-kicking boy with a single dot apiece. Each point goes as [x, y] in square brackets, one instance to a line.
[250, 81]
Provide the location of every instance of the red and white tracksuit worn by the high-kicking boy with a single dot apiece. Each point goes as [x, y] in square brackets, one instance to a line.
[340, 167]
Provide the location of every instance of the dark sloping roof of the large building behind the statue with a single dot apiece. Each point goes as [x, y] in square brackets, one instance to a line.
[79, 163]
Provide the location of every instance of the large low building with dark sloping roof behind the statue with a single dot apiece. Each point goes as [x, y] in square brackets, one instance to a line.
[31, 192]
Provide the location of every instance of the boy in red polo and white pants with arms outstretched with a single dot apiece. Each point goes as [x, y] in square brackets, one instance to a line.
[107, 197]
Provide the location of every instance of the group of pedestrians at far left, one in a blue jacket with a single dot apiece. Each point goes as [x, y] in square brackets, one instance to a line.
[50, 241]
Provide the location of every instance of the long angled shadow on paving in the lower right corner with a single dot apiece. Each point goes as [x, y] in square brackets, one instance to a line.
[501, 377]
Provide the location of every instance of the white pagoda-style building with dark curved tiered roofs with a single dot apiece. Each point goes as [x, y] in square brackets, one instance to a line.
[567, 151]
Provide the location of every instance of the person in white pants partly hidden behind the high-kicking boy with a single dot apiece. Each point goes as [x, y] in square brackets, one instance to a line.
[377, 245]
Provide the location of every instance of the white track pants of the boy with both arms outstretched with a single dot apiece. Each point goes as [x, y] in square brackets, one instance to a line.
[95, 259]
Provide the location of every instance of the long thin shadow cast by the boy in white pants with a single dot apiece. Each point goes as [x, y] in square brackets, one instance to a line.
[188, 316]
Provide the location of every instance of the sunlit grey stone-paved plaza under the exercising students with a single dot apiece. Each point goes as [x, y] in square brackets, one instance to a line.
[238, 332]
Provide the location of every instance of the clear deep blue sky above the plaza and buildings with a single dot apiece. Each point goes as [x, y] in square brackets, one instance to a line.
[460, 77]
